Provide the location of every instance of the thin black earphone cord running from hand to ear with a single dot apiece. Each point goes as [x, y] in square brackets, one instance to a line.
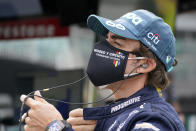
[31, 94]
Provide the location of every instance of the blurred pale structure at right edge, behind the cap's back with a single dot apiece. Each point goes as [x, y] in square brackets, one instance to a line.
[185, 71]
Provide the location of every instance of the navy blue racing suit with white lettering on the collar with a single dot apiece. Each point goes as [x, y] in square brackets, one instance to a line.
[143, 111]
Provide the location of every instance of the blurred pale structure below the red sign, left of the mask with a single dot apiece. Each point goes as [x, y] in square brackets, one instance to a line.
[60, 53]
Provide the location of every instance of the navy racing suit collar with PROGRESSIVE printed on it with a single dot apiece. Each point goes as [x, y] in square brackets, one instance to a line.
[136, 99]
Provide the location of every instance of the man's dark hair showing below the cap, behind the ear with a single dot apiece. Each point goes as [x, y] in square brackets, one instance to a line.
[158, 77]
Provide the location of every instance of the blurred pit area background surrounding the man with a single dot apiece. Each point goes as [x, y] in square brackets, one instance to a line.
[45, 43]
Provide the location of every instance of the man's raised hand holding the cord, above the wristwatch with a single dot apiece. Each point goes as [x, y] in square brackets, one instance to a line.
[40, 114]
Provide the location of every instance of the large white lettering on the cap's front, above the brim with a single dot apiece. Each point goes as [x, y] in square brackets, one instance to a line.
[135, 18]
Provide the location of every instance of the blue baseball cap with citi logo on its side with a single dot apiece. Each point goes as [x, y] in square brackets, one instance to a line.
[144, 26]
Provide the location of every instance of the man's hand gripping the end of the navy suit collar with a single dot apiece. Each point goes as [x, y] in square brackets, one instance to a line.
[78, 123]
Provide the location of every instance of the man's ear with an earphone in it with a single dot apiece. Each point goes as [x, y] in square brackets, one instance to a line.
[147, 66]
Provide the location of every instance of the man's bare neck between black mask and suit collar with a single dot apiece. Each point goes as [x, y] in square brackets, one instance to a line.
[129, 87]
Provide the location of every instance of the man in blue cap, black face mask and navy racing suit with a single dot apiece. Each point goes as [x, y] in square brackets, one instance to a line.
[132, 62]
